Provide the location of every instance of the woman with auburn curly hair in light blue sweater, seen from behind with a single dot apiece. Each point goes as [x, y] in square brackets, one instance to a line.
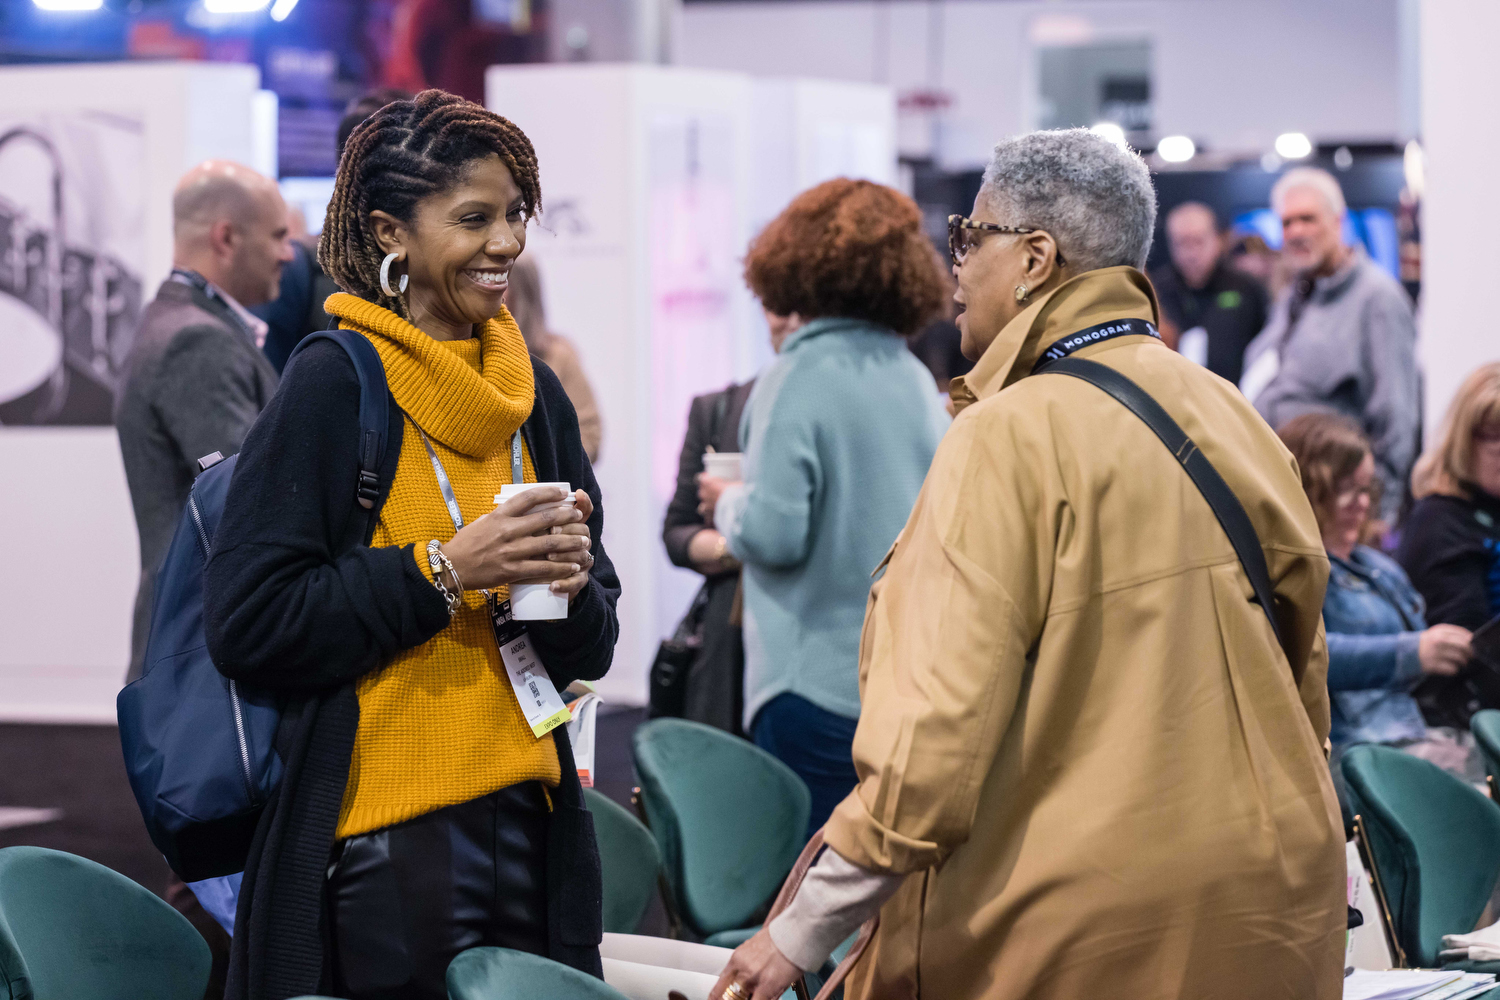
[838, 439]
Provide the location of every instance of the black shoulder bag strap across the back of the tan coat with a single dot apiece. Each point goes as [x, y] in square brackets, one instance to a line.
[1216, 491]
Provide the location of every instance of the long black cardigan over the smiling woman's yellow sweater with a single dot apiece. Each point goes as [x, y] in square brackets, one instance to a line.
[298, 602]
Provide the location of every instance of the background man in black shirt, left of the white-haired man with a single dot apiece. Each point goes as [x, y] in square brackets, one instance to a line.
[1214, 310]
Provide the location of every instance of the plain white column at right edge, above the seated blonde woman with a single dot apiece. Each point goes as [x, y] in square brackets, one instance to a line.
[1462, 205]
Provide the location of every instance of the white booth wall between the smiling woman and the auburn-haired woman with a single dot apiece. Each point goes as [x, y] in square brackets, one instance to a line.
[653, 181]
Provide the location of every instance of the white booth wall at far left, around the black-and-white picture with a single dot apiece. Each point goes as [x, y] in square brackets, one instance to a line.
[71, 545]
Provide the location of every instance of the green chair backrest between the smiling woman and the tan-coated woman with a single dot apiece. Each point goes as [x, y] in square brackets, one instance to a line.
[728, 816]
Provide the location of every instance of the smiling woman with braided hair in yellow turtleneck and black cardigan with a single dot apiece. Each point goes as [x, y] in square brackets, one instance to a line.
[419, 813]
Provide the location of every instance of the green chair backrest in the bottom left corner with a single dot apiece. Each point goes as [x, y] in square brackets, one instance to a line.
[74, 929]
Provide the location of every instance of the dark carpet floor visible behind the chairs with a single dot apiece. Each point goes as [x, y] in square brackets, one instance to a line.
[79, 770]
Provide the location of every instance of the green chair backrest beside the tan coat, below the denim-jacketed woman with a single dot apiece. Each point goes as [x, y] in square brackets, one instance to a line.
[1435, 843]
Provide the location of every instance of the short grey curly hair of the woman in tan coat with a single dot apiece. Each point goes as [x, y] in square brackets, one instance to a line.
[1093, 197]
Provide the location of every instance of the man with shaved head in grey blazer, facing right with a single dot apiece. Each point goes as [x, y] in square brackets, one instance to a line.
[196, 379]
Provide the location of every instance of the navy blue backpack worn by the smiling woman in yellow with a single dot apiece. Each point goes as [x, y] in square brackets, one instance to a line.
[200, 749]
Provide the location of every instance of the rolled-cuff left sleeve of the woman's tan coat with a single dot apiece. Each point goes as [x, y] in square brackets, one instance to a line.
[946, 650]
